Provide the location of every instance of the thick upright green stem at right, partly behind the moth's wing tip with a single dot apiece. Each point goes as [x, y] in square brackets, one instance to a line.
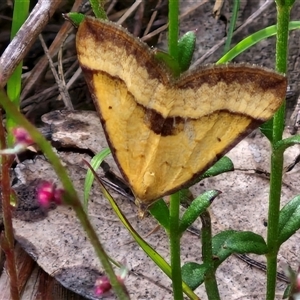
[283, 17]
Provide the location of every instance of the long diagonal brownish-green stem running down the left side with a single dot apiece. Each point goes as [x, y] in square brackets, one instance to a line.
[71, 195]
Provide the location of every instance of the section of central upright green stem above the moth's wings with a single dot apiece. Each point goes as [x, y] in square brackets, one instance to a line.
[173, 28]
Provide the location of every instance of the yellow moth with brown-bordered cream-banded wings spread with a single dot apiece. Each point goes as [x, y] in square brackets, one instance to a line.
[164, 132]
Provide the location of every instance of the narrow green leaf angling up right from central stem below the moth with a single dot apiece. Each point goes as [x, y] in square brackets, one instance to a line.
[197, 207]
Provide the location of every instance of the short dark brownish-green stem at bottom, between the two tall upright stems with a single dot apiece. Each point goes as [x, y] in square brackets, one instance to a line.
[210, 281]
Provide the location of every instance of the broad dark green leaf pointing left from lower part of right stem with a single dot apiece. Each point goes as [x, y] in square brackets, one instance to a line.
[246, 242]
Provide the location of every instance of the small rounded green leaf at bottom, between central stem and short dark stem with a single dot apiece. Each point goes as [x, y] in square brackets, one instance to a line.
[193, 274]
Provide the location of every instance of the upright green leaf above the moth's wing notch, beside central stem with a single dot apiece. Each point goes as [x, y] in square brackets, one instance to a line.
[186, 48]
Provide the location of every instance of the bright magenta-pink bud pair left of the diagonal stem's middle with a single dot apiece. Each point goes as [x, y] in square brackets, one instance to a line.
[48, 193]
